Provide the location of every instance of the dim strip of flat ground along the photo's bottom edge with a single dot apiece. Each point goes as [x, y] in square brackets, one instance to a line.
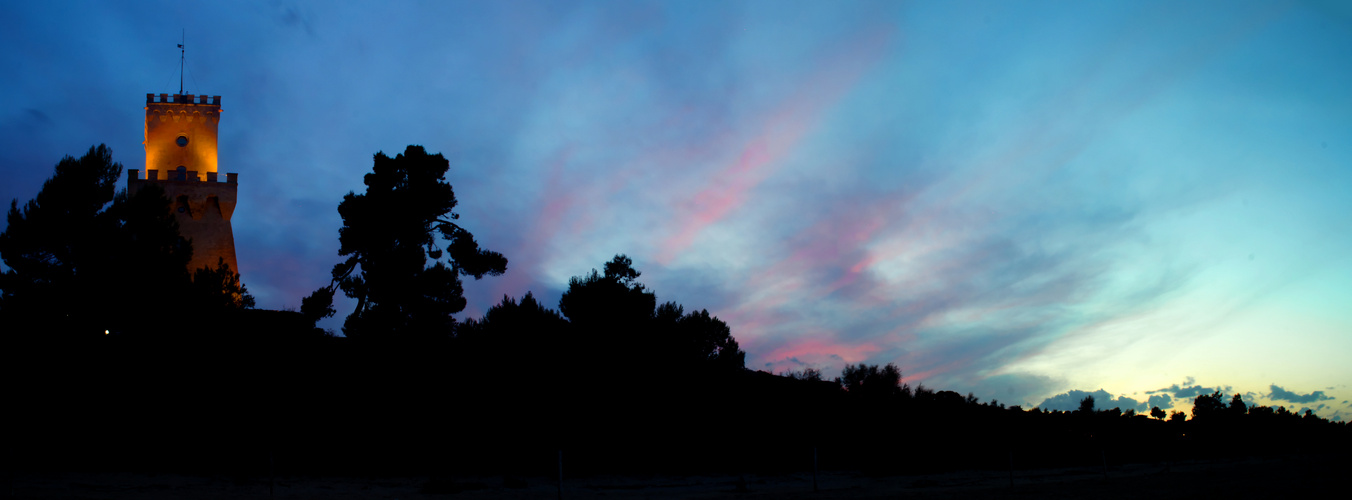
[1250, 478]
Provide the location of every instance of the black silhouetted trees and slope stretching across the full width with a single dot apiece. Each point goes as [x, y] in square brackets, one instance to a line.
[614, 379]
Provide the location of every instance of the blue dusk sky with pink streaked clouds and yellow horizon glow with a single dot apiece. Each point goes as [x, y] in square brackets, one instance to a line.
[1027, 201]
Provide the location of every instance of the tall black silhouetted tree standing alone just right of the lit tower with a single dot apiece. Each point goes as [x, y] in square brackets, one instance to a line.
[406, 286]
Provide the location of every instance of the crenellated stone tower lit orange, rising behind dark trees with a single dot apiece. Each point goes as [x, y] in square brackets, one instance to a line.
[182, 159]
